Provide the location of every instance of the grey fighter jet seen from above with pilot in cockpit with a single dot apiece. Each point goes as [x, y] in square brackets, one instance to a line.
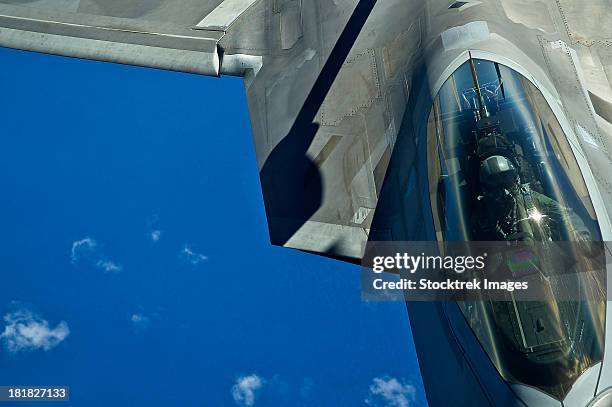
[398, 120]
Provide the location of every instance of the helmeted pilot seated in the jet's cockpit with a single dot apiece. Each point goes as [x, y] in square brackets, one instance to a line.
[513, 211]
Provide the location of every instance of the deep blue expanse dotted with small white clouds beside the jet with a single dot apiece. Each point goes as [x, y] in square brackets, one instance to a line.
[135, 260]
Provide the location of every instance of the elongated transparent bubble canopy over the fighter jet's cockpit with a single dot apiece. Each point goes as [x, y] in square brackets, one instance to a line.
[500, 168]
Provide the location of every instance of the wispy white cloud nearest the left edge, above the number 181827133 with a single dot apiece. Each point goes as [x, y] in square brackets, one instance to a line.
[26, 331]
